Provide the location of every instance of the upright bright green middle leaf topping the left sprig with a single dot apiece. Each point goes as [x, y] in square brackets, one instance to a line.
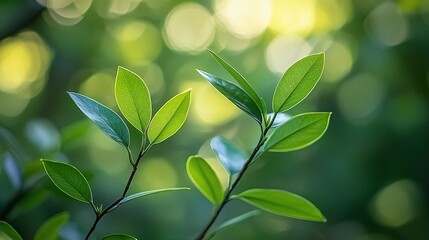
[133, 98]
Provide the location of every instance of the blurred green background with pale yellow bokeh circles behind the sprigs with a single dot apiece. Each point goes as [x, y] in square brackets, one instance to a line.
[369, 174]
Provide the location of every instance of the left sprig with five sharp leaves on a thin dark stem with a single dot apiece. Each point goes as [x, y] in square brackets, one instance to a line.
[133, 99]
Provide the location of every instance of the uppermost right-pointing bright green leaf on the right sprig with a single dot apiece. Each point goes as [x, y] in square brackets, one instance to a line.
[297, 82]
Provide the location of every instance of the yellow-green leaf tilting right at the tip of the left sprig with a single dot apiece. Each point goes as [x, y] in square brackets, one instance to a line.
[170, 118]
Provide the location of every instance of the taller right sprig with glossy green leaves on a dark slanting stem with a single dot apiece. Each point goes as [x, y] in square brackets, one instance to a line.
[289, 134]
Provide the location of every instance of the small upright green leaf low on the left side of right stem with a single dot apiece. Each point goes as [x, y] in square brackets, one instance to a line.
[205, 179]
